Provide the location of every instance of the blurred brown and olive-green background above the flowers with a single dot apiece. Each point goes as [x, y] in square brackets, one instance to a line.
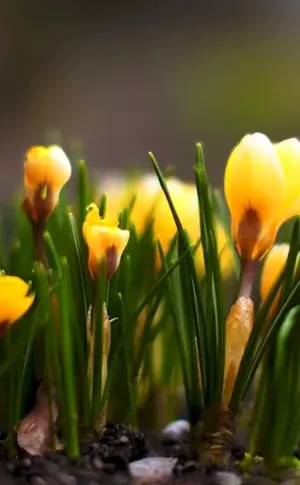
[133, 76]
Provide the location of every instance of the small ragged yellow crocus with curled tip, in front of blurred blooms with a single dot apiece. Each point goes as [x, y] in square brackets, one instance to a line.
[104, 240]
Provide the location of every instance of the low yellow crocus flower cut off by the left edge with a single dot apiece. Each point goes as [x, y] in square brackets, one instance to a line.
[14, 300]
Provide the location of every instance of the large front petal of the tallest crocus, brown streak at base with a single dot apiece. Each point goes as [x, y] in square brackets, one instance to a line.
[252, 169]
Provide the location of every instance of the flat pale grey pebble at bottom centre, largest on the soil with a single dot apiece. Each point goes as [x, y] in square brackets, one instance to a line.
[152, 469]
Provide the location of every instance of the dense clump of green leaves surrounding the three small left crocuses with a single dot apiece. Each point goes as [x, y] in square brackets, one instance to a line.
[52, 343]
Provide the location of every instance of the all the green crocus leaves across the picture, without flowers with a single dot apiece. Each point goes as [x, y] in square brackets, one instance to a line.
[167, 326]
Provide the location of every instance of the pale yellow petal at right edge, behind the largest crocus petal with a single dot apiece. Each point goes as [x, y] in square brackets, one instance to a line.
[288, 152]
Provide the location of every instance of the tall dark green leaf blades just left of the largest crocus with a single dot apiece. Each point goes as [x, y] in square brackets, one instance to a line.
[199, 320]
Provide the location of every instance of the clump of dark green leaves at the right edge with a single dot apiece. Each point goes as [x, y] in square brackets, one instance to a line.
[276, 424]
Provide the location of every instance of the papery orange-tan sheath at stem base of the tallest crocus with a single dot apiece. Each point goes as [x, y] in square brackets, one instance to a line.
[238, 328]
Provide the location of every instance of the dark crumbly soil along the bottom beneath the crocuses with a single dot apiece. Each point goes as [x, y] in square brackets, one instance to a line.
[105, 461]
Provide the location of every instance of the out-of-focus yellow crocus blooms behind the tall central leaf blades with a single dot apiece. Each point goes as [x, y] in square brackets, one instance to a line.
[150, 202]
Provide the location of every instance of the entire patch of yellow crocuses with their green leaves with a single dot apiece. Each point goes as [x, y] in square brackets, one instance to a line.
[127, 302]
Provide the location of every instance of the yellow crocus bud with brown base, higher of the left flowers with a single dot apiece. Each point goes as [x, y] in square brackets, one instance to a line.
[46, 171]
